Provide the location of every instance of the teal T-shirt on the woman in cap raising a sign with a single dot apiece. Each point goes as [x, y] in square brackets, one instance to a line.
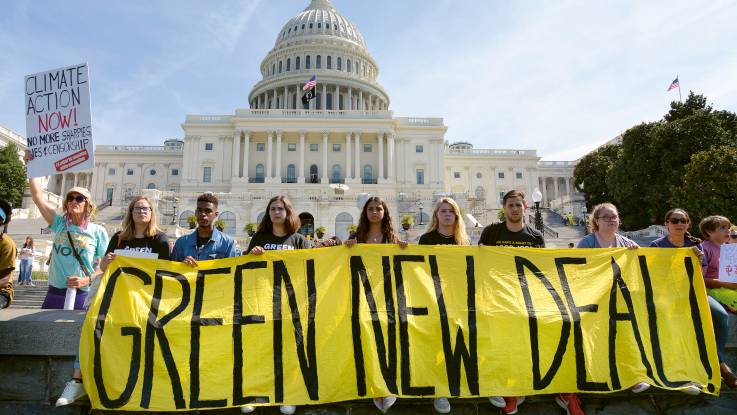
[90, 244]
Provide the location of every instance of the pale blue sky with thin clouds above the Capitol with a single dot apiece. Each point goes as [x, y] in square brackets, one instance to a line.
[560, 77]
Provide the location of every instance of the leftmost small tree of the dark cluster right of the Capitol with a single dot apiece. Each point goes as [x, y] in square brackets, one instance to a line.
[591, 172]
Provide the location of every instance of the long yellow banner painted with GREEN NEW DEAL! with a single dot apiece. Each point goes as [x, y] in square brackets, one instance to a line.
[334, 324]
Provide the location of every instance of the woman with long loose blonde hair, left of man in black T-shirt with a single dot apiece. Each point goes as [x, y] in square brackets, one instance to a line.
[447, 228]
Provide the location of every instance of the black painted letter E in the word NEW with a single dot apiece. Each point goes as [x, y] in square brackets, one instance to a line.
[403, 311]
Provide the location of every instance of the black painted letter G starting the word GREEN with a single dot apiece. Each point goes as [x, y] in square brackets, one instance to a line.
[134, 332]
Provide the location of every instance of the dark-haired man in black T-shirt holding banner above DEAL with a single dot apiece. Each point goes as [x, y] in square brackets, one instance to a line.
[515, 233]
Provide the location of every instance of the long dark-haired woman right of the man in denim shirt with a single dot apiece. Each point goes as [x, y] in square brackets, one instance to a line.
[277, 231]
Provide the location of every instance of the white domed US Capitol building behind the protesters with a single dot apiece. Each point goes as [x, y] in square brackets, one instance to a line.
[326, 158]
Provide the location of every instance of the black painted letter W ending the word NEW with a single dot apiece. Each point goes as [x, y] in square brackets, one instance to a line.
[453, 357]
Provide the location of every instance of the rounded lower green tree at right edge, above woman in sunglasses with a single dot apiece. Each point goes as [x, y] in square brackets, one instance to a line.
[709, 184]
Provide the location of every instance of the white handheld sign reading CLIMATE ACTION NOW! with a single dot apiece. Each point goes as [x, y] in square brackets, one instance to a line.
[58, 121]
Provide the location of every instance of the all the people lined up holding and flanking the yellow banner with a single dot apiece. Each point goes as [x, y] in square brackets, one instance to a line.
[82, 251]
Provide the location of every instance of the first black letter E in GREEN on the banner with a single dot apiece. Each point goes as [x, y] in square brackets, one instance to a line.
[194, 354]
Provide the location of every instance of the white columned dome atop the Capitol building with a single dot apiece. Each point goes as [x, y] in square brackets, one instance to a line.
[319, 41]
